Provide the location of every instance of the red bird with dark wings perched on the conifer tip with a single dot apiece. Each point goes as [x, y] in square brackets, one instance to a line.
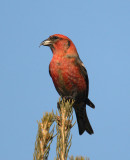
[70, 77]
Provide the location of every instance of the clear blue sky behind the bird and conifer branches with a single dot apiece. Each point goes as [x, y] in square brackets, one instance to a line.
[101, 32]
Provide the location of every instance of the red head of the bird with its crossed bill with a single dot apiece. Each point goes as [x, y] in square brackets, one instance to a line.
[60, 44]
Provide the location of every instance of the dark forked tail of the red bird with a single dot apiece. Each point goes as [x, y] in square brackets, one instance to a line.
[82, 119]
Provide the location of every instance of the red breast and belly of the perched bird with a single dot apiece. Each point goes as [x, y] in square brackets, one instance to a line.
[66, 75]
